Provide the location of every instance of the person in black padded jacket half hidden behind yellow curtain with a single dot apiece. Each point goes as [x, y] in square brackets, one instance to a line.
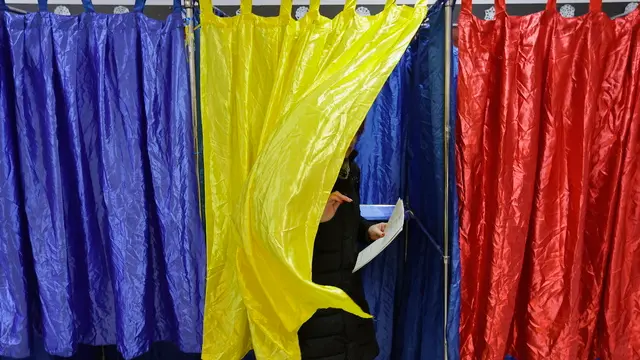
[333, 334]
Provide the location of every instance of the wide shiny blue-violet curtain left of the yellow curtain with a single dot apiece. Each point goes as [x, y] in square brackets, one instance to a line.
[100, 239]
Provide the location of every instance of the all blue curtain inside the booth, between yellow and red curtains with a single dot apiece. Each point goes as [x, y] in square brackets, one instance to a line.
[401, 154]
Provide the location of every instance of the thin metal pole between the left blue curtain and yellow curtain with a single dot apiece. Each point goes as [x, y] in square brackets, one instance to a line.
[191, 53]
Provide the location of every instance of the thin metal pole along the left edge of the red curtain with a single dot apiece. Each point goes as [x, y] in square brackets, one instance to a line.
[448, 13]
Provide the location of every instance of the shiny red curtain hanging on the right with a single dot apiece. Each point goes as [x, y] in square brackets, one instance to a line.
[548, 155]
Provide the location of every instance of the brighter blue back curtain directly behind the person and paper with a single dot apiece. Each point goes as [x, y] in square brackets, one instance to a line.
[381, 158]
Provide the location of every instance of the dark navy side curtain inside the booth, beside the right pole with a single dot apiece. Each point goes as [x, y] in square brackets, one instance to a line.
[419, 328]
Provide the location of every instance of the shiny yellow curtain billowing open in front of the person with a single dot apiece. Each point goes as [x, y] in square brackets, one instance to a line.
[281, 100]
